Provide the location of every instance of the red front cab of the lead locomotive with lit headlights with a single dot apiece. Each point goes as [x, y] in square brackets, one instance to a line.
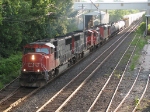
[38, 62]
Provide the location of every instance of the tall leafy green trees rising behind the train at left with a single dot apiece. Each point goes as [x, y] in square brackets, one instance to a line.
[24, 21]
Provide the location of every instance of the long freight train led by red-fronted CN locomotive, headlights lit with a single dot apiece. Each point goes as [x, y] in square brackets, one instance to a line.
[45, 59]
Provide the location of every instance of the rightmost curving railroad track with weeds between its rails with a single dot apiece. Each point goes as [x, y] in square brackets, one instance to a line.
[131, 99]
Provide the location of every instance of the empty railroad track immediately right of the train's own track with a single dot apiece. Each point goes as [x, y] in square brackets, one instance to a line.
[60, 100]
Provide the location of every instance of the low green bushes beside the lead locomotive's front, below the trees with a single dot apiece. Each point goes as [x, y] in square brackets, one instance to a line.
[9, 69]
